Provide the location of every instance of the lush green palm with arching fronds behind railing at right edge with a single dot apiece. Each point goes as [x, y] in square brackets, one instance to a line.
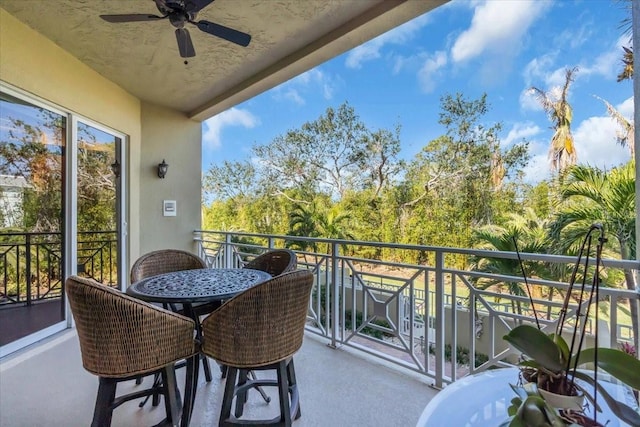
[590, 196]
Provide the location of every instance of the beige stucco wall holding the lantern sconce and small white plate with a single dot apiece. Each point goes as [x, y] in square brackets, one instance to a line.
[169, 136]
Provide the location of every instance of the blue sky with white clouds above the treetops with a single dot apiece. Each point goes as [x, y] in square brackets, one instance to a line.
[501, 47]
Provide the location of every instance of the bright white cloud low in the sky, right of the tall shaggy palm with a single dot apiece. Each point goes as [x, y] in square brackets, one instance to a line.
[595, 141]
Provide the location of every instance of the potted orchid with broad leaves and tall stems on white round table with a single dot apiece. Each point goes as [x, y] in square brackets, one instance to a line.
[549, 368]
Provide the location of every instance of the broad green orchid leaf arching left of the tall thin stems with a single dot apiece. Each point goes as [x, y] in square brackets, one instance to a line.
[536, 345]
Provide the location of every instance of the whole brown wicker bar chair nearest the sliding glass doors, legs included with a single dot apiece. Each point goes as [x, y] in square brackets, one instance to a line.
[122, 338]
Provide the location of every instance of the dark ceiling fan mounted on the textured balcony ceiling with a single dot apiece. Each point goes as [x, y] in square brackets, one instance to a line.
[180, 12]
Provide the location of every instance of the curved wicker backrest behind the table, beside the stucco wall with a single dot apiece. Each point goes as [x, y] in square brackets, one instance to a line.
[164, 261]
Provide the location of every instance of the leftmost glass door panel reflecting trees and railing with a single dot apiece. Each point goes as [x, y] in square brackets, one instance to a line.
[32, 148]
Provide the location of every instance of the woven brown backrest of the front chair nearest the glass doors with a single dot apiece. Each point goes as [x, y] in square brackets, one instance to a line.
[121, 336]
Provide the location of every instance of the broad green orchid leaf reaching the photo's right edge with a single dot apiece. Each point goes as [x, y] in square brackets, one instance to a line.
[621, 365]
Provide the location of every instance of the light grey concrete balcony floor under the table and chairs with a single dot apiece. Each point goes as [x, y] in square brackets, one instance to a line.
[46, 385]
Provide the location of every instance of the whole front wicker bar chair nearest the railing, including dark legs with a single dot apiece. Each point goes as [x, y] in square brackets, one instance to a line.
[260, 329]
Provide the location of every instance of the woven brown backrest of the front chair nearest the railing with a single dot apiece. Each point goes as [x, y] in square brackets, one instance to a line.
[262, 325]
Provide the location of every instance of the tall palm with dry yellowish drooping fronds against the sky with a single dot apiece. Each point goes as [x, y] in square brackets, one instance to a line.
[562, 151]
